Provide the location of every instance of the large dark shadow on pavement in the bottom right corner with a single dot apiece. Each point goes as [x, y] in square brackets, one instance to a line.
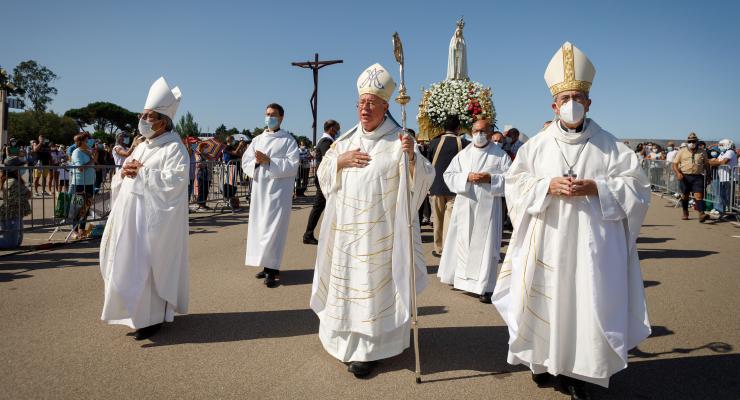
[702, 377]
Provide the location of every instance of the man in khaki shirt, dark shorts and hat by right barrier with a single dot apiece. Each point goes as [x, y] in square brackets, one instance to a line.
[689, 166]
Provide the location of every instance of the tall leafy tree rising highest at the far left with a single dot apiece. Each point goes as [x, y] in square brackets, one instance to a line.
[33, 84]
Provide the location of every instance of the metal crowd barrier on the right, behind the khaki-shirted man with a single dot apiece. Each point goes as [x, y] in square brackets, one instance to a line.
[722, 185]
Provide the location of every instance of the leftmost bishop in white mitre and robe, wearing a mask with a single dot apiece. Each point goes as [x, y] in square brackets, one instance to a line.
[144, 248]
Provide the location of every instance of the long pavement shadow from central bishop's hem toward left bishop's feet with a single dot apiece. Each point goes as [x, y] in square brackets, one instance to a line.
[236, 326]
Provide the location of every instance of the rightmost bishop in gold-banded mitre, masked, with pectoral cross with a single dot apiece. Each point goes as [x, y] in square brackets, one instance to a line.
[570, 288]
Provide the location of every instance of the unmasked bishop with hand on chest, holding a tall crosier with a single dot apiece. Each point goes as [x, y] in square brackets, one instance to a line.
[361, 287]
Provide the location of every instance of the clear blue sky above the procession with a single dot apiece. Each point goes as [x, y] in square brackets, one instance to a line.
[663, 68]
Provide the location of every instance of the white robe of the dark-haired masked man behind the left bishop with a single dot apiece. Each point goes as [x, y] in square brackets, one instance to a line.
[272, 197]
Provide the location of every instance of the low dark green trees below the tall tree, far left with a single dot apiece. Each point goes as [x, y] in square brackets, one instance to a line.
[28, 125]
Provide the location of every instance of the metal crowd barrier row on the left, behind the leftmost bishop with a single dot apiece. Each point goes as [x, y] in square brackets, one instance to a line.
[215, 187]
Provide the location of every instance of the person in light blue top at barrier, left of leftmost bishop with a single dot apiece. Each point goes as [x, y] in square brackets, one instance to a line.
[83, 179]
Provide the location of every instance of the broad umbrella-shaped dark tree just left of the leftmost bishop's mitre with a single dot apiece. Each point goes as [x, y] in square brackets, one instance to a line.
[104, 117]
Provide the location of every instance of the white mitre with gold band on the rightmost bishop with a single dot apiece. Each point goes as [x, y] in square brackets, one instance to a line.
[569, 69]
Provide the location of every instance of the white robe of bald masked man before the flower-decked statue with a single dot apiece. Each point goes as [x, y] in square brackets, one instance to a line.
[473, 241]
